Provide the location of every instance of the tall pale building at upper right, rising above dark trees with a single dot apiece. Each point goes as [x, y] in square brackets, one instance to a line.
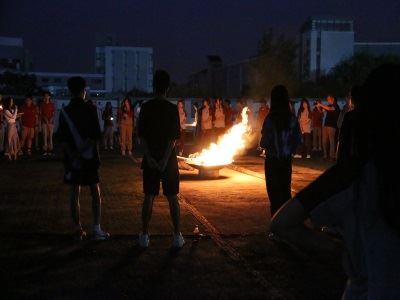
[323, 43]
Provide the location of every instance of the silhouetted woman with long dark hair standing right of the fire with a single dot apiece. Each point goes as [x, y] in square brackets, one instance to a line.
[280, 137]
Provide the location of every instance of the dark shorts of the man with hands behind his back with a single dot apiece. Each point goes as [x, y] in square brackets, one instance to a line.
[169, 179]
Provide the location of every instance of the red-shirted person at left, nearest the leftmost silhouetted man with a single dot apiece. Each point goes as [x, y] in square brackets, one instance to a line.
[47, 111]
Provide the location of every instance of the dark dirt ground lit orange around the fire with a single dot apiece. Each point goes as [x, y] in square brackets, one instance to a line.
[234, 259]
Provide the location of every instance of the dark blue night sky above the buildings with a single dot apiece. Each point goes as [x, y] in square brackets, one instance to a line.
[60, 35]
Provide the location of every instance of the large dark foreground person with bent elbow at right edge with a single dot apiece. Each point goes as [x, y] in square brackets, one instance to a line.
[359, 196]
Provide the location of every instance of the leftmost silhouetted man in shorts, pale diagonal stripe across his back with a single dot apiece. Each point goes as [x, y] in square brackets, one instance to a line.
[79, 132]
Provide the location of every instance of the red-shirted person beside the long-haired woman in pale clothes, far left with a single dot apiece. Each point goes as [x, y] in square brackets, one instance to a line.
[28, 119]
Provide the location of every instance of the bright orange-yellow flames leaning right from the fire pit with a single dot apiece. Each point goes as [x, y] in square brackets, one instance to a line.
[229, 145]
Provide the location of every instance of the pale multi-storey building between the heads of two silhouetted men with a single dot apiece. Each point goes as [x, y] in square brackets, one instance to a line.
[125, 68]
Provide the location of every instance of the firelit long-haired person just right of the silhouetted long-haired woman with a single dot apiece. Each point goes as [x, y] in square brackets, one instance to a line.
[304, 117]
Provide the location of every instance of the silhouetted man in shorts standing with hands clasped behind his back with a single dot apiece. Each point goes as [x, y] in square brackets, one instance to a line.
[159, 129]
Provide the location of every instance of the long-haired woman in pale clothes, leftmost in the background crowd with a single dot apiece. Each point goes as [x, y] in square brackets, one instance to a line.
[11, 115]
